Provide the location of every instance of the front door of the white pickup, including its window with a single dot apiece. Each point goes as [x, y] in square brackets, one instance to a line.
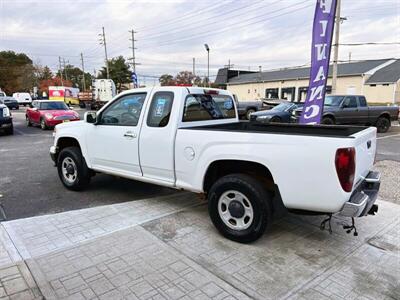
[113, 142]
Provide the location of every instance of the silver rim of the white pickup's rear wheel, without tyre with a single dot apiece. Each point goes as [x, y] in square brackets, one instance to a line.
[235, 210]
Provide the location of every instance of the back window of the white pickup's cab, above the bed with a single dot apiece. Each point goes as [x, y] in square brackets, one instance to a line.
[205, 107]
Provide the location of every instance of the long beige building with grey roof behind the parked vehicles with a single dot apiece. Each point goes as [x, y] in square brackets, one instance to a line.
[378, 80]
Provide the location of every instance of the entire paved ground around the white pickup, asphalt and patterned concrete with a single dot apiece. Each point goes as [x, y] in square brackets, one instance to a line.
[102, 245]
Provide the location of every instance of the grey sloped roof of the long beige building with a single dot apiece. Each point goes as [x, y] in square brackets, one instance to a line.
[344, 69]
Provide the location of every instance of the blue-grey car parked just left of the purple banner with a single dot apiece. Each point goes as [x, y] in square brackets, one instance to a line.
[281, 113]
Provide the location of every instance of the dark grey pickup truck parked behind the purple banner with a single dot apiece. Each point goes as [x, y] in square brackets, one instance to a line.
[353, 109]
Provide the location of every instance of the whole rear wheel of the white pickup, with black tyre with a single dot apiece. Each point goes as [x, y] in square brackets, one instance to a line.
[239, 207]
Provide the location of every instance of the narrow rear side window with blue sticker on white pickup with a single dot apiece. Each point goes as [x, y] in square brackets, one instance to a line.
[160, 109]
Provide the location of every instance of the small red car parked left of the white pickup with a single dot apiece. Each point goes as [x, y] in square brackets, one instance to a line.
[49, 113]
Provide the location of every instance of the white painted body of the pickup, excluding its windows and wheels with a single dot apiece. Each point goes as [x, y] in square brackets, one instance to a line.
[179, 155]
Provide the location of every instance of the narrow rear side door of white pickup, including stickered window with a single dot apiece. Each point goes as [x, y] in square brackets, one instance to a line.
[157, 138]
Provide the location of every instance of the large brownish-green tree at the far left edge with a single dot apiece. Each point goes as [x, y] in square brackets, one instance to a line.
[16, 72]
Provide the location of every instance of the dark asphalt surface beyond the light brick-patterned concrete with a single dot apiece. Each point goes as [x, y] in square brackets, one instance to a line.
[29, 183]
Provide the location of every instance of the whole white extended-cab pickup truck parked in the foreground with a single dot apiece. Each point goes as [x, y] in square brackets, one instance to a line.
[190, 138]
